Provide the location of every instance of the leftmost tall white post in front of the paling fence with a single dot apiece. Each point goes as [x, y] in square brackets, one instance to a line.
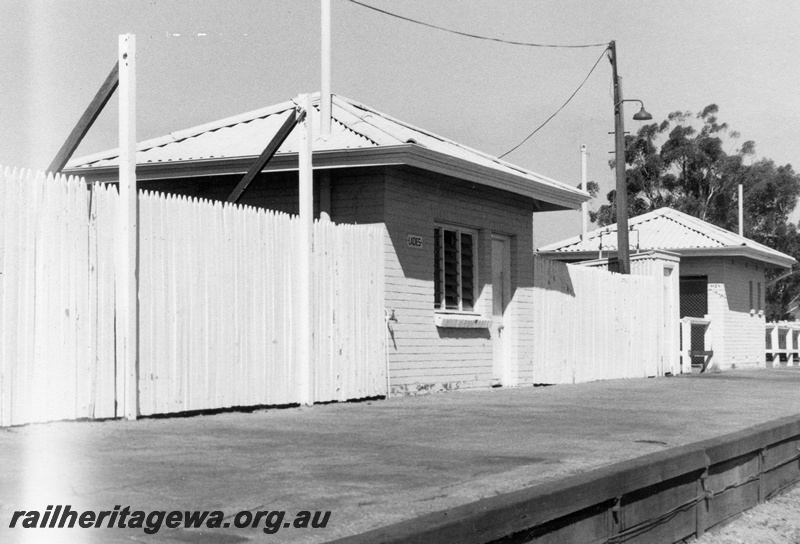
[128, 224]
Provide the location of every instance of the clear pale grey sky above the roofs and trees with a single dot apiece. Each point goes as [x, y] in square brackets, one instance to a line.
[202, 60]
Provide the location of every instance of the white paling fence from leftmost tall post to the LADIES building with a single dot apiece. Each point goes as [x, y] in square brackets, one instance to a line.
[218, 305]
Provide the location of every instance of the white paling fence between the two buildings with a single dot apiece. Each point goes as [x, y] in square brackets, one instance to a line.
[590, 324]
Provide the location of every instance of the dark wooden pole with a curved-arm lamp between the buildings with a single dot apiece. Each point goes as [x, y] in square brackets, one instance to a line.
[623, 250]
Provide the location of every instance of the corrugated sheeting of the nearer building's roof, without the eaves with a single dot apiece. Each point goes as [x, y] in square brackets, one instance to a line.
[354, 126]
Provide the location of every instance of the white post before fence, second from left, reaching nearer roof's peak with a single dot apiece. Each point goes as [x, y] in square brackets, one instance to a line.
[304, 336]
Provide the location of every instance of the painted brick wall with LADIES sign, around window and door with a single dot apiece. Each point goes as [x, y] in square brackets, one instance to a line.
[422, 356]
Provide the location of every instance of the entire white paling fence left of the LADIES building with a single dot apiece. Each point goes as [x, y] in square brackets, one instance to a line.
[217, 305]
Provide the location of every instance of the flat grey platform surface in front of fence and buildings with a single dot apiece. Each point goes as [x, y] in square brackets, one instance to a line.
[369, 464]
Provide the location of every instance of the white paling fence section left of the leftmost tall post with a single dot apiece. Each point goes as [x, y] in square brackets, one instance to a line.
[56, 299]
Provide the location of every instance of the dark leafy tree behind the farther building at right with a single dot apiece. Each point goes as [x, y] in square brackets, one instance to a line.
[691, 162]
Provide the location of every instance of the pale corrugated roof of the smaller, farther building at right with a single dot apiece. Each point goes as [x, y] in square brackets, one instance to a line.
[672, 230]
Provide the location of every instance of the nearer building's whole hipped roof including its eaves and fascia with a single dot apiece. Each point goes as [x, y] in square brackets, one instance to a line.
[228, 144]
